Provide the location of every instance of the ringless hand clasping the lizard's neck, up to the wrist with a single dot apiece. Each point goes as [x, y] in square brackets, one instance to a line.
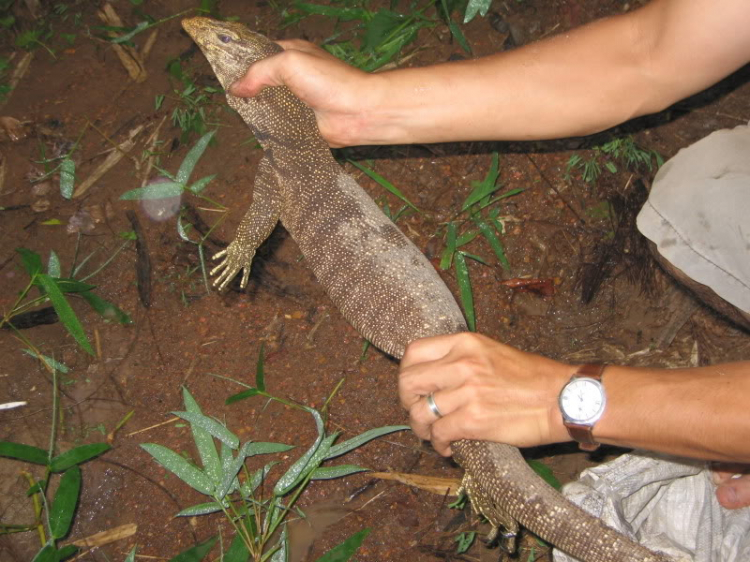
[339, 94]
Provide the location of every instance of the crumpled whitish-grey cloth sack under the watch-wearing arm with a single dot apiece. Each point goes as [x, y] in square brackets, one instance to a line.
[666, 504]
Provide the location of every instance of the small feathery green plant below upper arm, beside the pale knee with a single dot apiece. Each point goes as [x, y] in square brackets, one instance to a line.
[623, 150]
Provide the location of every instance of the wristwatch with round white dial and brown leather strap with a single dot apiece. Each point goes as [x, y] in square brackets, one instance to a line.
[582, 401]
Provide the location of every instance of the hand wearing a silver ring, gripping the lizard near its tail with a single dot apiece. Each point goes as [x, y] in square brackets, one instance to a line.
[485, 390]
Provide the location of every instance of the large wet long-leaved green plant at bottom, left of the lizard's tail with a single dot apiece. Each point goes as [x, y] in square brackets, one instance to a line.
[258, 517]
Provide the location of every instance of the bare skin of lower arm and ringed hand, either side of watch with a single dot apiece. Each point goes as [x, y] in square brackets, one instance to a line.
[490, 391]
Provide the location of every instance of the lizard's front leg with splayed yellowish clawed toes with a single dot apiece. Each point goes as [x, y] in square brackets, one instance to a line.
[254, 228]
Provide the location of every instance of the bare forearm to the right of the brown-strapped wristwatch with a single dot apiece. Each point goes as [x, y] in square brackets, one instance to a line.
[699, 413]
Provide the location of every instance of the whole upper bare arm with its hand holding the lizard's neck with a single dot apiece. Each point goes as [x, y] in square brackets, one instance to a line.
[574, 84]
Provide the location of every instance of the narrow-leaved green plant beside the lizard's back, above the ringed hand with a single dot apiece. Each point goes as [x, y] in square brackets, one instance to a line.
[479, 215]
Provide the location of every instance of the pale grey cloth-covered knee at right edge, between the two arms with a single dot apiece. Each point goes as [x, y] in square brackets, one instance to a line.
[698, 213]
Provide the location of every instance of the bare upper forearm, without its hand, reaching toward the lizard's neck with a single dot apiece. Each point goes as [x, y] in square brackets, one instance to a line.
[577, 83]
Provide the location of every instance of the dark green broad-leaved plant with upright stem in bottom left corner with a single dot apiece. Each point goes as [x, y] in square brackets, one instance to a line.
[53, 514]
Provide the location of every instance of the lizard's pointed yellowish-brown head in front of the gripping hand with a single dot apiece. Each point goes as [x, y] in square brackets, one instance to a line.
[229, 47]
